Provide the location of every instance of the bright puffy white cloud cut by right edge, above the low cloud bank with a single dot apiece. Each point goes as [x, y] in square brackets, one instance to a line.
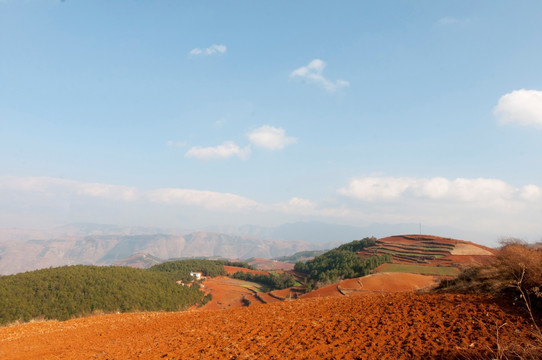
[523, 107]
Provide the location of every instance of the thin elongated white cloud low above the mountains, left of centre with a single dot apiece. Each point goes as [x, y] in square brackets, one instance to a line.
[206, 199]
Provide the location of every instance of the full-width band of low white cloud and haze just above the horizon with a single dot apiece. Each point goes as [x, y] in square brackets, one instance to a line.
[489, 206]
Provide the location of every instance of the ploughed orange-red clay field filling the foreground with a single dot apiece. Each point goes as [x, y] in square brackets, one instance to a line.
[388, 326]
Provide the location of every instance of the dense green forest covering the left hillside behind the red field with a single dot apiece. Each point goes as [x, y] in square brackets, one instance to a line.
[66, 292]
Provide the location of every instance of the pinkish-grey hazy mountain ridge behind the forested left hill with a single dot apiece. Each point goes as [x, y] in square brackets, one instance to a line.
[19, 256]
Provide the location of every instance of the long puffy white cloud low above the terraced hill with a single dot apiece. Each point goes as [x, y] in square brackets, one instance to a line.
[486, 191]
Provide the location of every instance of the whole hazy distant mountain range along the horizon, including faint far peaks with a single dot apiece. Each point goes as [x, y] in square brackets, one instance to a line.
[105, 244]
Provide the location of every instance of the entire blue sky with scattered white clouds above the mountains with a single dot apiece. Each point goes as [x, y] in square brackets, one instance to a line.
[197, 113]
